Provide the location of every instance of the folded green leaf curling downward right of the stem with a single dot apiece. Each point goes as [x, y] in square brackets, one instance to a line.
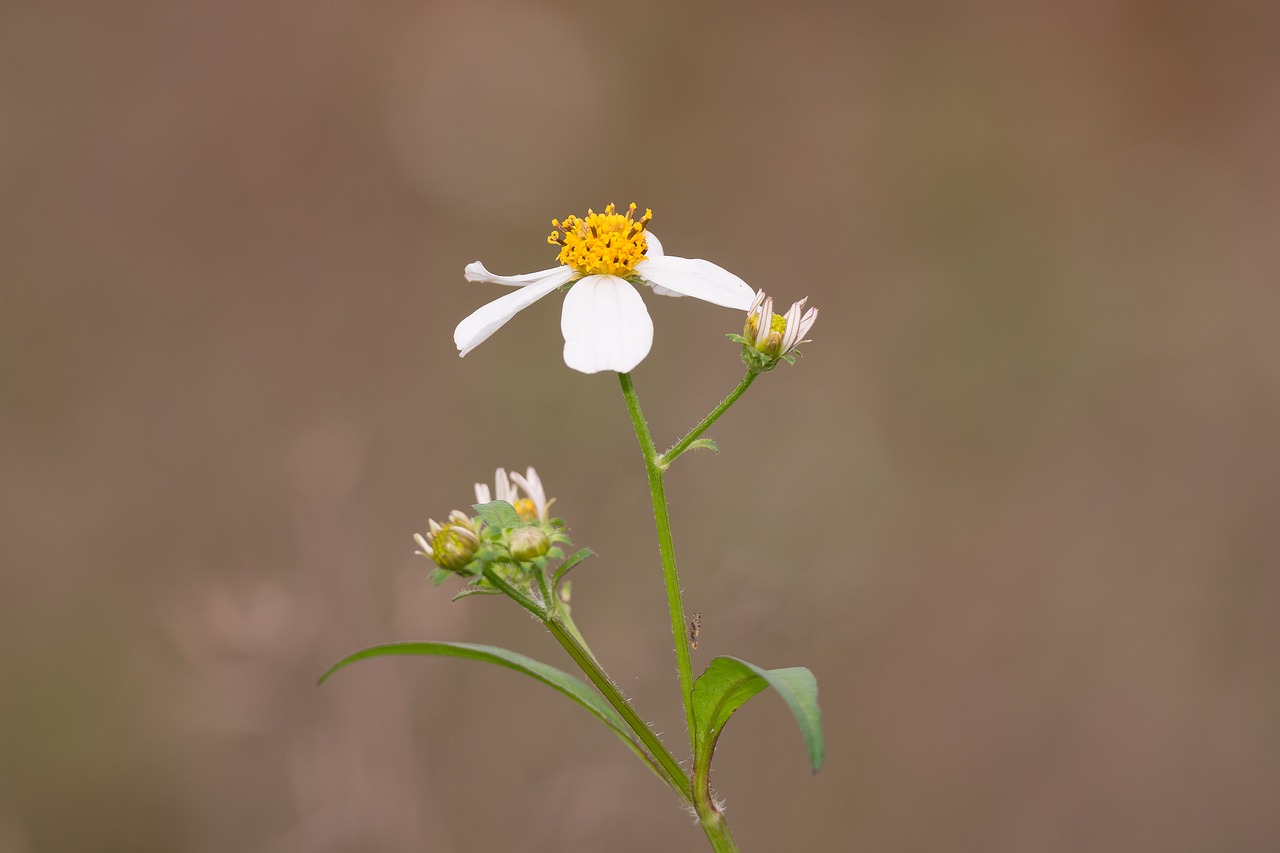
[729, 683]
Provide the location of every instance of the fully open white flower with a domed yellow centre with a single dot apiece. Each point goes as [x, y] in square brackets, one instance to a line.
[605, 322]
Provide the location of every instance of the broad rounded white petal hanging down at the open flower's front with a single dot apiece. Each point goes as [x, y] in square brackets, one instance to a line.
[606, 326]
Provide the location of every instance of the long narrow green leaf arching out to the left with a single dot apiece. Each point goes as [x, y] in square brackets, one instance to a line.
[556, 679]
